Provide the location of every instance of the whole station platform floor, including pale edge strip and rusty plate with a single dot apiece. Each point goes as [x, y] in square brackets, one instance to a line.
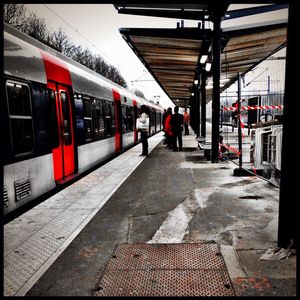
[175, 203]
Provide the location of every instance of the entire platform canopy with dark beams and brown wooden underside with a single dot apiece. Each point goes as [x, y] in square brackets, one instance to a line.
[172, 55]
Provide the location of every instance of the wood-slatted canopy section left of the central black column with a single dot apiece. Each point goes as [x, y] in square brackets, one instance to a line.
[170, 55]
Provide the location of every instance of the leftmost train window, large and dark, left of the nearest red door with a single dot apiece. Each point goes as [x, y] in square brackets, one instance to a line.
[20, 117]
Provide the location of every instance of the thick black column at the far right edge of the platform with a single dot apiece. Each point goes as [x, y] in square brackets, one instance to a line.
[289, 191]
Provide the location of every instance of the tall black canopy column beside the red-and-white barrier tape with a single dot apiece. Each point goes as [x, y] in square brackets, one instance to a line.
[216, 65]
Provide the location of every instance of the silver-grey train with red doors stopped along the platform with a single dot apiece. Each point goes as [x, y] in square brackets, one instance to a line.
[58, 119]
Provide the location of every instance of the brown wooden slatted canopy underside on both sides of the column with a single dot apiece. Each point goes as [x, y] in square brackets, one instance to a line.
[172, 55]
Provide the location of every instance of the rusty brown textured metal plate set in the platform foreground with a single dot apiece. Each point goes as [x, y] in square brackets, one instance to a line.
[165, 270]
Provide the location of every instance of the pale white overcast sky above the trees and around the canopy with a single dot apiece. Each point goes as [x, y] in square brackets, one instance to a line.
[100, 23]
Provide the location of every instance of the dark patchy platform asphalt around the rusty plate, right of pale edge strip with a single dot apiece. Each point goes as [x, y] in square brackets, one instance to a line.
[177, 197]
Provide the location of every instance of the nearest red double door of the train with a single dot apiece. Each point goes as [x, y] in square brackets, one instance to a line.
[63, 148]
